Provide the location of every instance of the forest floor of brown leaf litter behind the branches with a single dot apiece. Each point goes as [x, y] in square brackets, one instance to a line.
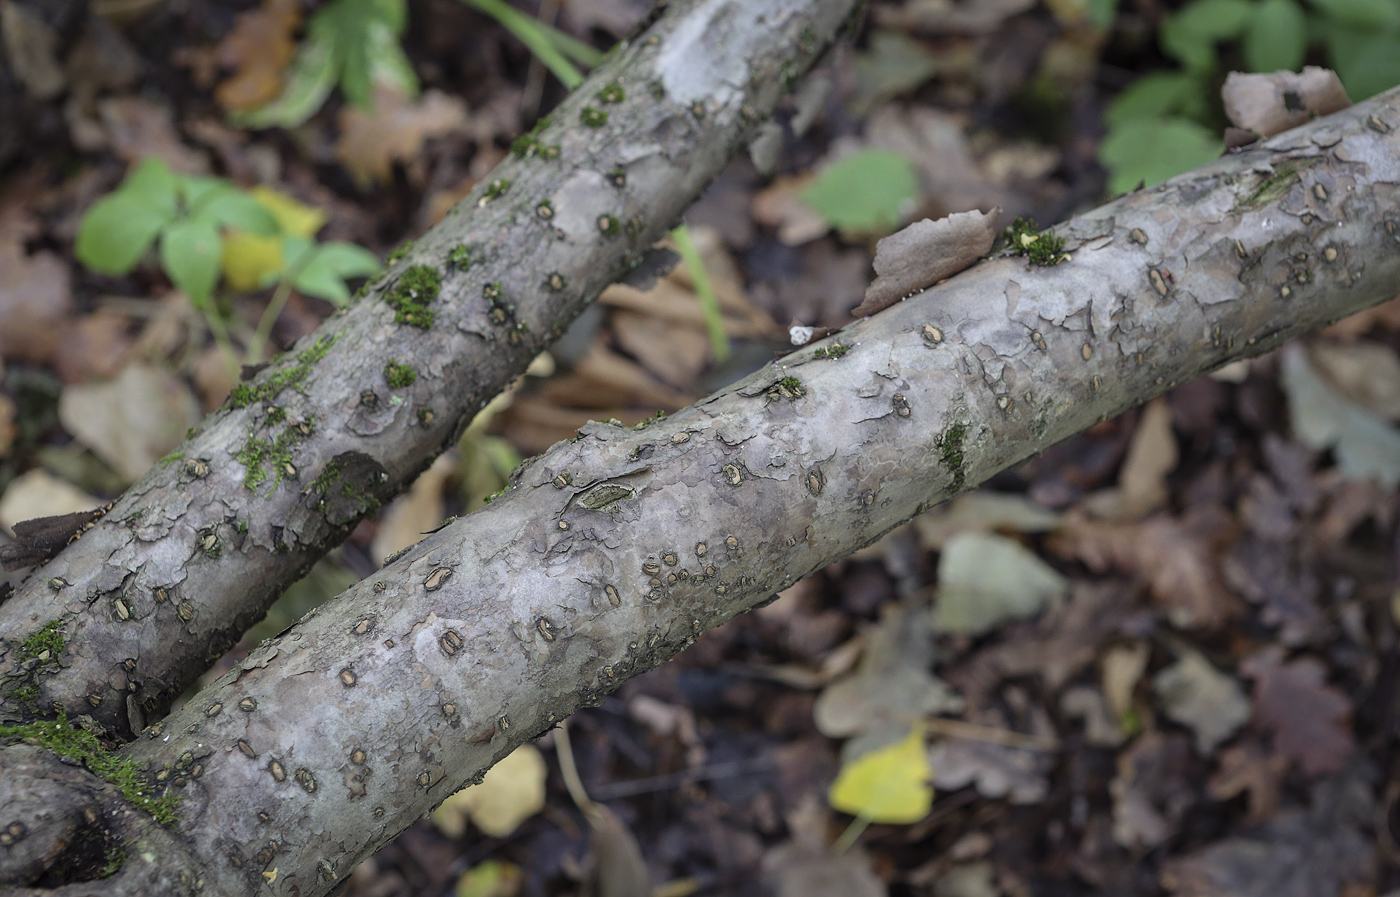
[1181, 675]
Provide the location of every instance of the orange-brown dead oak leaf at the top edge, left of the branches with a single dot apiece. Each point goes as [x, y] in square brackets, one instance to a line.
[258, 50]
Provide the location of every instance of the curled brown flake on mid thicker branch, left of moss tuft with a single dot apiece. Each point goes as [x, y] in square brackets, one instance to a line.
[926, 253]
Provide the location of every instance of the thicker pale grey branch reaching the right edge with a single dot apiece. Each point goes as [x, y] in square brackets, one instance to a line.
[614, 552]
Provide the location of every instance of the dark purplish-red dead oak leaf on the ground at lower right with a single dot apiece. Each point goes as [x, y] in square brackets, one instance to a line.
[1308, 719]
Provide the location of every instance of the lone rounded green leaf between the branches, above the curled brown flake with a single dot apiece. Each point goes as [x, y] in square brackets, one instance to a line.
[864, 192]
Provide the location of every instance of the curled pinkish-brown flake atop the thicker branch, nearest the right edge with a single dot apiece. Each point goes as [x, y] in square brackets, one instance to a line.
[1270, 104]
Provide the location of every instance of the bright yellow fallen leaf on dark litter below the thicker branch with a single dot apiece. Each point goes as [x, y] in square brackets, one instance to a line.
[887, 786]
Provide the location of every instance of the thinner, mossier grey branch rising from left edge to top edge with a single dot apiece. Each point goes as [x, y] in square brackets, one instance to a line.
[199, 548]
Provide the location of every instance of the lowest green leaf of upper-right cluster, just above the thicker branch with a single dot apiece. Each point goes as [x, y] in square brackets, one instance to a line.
[1153, 150]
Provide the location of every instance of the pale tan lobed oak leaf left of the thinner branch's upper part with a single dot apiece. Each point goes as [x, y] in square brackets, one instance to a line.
[394, 131]
